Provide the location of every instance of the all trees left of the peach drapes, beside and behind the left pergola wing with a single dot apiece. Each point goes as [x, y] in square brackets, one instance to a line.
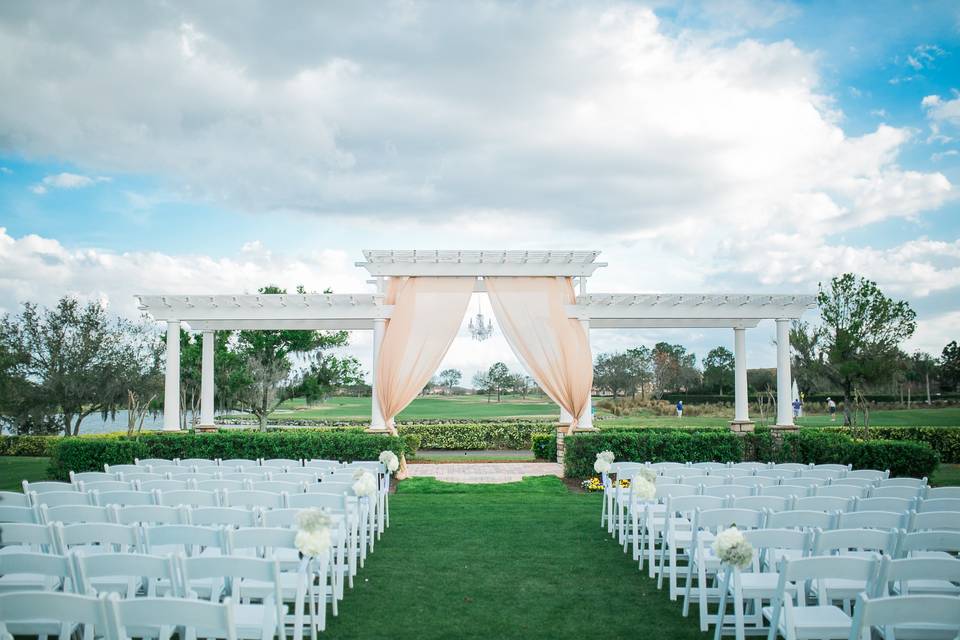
[59, 366]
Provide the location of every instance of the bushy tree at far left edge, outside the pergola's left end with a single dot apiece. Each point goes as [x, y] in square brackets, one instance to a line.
[71, 361]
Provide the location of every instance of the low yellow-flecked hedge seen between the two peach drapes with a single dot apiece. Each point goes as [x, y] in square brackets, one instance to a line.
[478, 435]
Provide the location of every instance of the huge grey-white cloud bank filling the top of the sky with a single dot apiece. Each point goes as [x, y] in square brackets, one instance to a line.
[594, 115]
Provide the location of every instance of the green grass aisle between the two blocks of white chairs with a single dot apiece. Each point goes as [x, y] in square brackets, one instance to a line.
[524, 560]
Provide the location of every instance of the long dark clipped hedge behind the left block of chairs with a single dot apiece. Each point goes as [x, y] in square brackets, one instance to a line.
[91, 453]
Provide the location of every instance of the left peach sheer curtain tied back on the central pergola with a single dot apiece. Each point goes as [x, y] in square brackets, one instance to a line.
[427, 314]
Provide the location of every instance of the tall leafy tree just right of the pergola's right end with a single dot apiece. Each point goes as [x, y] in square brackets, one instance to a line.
[858, 339]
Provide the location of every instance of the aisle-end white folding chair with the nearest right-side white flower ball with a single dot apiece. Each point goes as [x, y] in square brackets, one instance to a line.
[757, 583]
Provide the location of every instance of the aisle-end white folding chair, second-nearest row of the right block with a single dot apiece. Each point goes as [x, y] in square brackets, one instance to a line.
[794, 619]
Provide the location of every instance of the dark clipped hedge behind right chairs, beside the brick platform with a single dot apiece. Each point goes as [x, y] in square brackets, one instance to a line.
[654, 446]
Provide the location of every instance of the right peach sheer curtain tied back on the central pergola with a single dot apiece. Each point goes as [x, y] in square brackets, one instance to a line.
[554, 348]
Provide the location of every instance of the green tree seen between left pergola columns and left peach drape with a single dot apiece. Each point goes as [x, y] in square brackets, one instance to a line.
[267, 366]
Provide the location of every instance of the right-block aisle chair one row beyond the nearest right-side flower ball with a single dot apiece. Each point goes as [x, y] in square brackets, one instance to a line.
[704, 562]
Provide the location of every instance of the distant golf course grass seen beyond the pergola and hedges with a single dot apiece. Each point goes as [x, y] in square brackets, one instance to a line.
[478, 408]
